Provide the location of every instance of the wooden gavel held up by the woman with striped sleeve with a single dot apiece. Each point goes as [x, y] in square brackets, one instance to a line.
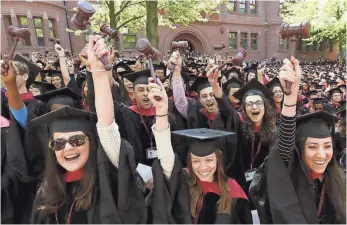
[294, 31]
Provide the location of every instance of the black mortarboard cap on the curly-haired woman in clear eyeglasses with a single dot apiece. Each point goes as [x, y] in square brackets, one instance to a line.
[253, 87]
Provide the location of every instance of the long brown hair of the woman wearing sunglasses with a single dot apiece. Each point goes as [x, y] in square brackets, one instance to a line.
[54, 191]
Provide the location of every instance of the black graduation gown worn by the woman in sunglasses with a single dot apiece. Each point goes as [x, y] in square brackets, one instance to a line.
[116, 199]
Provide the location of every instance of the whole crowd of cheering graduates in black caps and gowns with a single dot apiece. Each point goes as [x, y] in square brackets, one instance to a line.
[202, 140]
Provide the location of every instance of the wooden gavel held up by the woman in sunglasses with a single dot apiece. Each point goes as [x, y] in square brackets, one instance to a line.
[80, 20]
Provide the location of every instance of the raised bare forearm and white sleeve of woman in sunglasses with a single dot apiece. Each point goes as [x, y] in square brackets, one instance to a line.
[107, 128]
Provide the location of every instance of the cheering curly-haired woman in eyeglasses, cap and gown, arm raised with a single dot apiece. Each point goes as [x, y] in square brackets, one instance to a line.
[254, 126]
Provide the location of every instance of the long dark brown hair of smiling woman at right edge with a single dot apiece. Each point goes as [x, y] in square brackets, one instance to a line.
[335, 186]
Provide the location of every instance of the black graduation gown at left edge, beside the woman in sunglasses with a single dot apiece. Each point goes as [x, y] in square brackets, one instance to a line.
[18, 175]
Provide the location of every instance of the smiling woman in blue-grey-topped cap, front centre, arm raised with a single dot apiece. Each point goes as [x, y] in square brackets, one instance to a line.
[202, 193]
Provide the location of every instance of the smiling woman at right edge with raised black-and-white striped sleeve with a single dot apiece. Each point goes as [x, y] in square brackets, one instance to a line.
[303, 164]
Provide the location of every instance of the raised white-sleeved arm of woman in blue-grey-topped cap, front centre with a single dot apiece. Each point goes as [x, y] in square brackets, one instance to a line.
[161, 129]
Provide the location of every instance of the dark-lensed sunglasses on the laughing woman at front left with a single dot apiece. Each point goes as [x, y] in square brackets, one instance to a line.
[60, 143]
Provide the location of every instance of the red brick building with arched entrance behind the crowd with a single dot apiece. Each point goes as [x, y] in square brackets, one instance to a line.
[253, 25]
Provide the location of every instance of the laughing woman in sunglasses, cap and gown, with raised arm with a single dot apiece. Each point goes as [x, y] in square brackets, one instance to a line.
[81, 184]
